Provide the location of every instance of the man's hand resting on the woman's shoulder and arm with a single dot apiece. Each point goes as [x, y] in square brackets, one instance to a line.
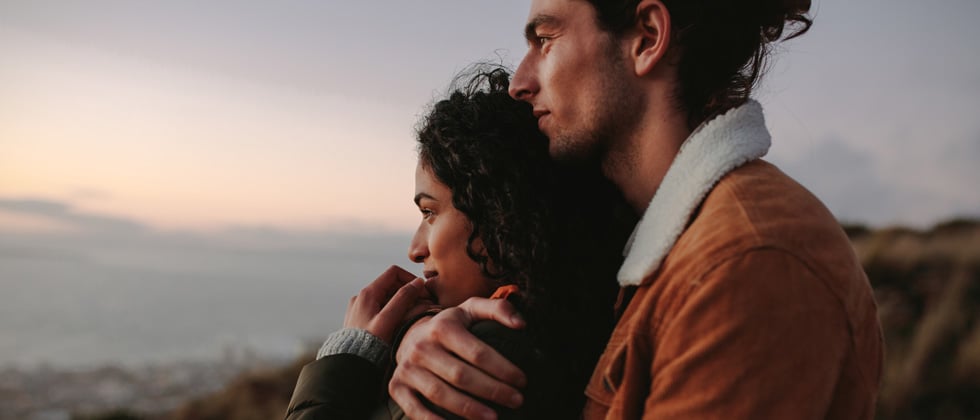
[440, 360]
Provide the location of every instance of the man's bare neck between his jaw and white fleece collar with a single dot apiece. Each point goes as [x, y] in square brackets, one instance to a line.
[638, 164]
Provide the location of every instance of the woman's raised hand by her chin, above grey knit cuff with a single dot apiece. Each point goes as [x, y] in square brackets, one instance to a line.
[389, 300]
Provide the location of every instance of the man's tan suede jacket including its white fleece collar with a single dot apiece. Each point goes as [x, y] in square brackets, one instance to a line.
[749, 300]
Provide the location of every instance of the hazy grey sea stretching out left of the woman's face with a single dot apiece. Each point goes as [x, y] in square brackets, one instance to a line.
[78, 300]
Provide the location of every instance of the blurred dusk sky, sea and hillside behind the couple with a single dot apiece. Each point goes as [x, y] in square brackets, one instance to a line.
[190, 191]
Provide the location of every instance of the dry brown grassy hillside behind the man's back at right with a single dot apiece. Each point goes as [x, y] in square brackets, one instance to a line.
[928, 290]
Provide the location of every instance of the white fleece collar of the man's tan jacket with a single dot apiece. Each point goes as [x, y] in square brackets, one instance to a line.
[714, 149]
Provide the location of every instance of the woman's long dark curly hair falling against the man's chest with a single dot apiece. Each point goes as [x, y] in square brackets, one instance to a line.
[554, 229]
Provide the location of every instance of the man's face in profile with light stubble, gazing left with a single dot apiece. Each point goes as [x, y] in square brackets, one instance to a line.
[575, 78]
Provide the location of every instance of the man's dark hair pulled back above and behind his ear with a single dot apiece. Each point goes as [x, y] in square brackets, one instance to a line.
[723, 45]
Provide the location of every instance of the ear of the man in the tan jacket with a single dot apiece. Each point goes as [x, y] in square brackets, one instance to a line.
[652, 36]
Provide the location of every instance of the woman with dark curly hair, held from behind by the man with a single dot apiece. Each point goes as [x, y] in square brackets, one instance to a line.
[497, 215]
